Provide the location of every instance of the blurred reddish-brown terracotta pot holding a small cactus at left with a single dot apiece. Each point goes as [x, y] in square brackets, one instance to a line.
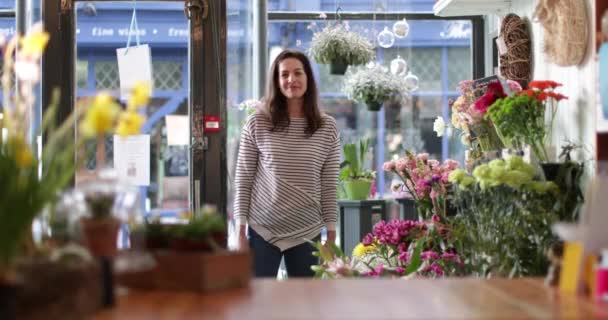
[100, 235]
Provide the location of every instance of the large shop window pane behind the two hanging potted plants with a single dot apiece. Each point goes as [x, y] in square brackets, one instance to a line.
[437, 51]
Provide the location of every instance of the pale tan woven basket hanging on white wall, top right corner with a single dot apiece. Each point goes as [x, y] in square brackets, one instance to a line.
[566, 27]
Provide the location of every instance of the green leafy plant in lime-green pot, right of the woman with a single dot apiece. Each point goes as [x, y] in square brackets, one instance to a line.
[356, 180]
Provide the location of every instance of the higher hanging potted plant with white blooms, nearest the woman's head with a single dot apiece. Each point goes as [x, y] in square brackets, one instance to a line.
[339, 47]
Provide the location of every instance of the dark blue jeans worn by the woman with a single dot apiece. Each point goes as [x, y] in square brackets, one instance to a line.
[267, 258]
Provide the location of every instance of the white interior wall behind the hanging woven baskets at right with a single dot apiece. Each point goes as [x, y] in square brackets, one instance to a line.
[576, 117]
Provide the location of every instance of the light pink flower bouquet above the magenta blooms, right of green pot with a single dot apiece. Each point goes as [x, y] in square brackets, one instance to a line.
[425, 179]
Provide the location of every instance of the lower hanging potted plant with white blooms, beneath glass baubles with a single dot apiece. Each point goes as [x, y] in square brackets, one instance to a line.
[373, 86]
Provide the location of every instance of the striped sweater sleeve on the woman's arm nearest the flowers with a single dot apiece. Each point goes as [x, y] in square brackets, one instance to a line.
[329, 180]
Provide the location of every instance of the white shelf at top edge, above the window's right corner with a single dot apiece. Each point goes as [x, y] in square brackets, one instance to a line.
[450, 8]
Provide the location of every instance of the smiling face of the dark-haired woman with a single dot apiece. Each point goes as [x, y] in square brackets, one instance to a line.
[292, 78]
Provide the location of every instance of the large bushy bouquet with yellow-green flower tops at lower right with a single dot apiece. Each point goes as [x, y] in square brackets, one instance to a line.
[505, 218]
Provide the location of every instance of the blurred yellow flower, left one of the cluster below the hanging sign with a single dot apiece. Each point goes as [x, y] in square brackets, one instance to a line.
[100, 116]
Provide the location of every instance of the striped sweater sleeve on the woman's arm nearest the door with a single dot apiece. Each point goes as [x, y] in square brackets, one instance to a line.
[247, 162]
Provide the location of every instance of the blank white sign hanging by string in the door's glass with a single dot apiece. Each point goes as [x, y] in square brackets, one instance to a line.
[134, 66]
